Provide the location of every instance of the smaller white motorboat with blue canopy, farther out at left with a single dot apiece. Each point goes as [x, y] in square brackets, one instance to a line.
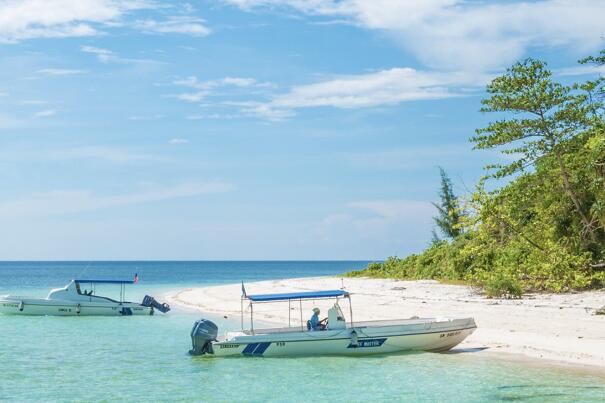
[72, 301]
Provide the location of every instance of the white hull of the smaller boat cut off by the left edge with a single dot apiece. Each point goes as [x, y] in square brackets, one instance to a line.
[42, 307]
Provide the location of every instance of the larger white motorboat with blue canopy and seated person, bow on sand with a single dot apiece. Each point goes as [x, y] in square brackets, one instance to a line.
[337, 337]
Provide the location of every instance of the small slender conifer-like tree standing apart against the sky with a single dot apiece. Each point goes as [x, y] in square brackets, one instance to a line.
[449, 213]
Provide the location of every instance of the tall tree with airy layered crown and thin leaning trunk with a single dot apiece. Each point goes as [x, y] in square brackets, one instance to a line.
[548, 120]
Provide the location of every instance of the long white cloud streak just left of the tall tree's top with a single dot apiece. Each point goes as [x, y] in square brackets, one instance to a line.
[386, 87]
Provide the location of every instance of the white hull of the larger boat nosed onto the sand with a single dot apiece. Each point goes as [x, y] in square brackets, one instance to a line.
[422, 336]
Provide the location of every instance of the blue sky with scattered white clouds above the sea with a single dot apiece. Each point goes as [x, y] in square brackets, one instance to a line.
[253, 129]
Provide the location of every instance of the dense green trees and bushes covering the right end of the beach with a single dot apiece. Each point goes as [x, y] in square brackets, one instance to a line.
[544, 229]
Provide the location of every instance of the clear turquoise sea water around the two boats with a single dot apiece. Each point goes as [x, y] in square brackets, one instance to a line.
[145, 358]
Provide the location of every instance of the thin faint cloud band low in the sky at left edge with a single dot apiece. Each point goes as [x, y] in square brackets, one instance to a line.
[75, 201]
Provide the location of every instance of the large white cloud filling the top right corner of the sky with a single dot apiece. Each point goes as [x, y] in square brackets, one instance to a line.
[468, 35]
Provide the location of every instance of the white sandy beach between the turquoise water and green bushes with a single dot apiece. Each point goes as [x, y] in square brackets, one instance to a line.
[544, 327]
